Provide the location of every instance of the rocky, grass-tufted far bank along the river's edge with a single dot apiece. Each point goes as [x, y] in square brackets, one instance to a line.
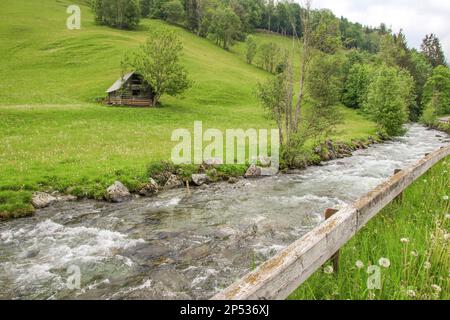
[161, 176]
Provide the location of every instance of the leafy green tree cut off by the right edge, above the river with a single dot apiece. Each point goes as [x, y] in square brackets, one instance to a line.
[436, 94]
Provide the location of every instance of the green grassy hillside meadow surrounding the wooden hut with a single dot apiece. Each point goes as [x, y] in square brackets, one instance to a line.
[53, 134]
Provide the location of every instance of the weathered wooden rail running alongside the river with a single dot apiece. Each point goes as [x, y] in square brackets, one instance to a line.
[282, 274]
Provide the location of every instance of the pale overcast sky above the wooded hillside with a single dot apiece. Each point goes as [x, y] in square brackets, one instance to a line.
[415, 17]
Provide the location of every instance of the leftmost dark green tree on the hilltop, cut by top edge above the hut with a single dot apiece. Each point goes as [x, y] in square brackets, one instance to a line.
[121, 14]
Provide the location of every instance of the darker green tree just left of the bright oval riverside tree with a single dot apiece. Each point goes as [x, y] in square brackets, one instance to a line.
[356, 86]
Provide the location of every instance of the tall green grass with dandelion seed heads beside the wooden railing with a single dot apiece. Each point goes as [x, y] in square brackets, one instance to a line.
[418, 268]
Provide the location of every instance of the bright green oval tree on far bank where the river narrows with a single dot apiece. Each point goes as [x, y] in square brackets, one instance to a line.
[386, 101]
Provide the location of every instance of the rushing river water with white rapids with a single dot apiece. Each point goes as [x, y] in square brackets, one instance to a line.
[176, 246]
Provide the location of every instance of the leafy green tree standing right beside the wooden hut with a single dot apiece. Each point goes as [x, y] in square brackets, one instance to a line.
[158, 61]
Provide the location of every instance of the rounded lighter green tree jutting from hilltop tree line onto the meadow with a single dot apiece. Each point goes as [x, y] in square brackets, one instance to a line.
[224, 27]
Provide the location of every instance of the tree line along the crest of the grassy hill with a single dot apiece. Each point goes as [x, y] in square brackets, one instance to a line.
[226, 21]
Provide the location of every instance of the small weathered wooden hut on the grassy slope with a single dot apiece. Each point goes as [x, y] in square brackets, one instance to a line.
[130, 90]
